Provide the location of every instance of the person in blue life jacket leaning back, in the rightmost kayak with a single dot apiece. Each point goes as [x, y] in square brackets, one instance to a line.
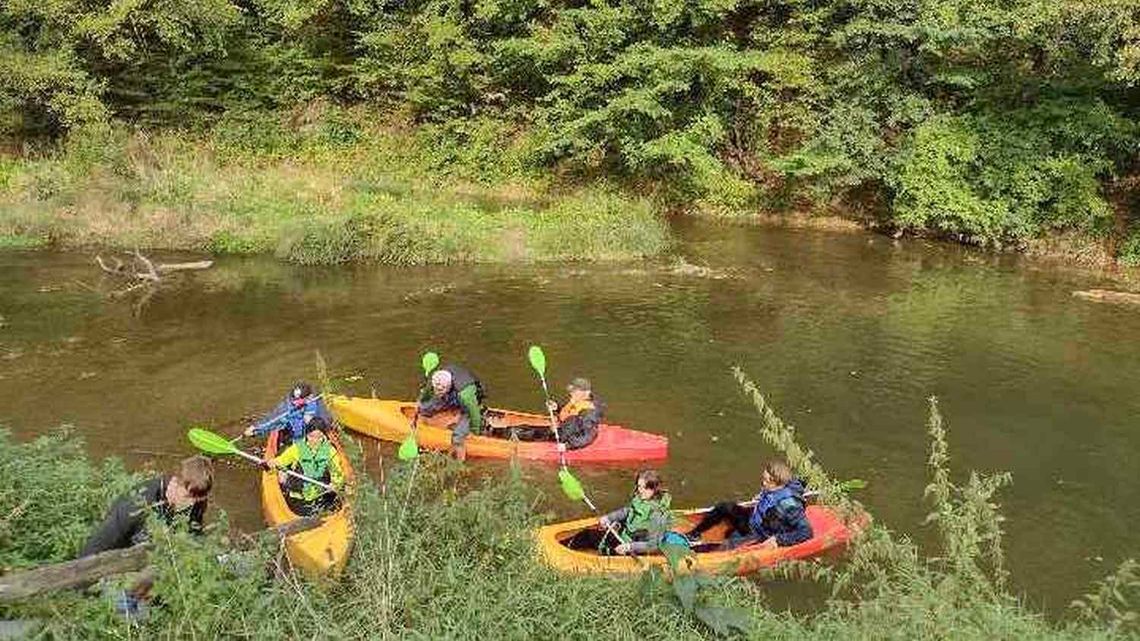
[777, 520]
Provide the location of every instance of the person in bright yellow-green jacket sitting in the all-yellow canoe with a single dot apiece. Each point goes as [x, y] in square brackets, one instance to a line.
[315, 458]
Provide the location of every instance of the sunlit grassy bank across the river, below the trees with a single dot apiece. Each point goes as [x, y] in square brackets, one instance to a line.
[316, 186]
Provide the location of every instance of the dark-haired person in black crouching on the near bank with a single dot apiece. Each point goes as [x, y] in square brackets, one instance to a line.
[167, 497]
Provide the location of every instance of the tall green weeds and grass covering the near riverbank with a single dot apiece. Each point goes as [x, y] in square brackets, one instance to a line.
[441, 556]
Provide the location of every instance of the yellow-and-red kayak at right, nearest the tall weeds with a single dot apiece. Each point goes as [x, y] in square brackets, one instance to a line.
[829, 530]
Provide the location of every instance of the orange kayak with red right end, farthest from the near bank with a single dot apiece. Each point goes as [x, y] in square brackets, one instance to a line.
[390, 420]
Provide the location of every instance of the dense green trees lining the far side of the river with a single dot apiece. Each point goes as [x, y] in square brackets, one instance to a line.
[991, 123]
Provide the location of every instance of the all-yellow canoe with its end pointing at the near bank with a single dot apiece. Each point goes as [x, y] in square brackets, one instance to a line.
[322, 551]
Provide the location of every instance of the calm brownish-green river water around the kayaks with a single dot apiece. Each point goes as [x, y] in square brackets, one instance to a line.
[849, 335]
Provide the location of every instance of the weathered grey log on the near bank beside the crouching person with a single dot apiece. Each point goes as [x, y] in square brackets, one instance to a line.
[87, 571]
